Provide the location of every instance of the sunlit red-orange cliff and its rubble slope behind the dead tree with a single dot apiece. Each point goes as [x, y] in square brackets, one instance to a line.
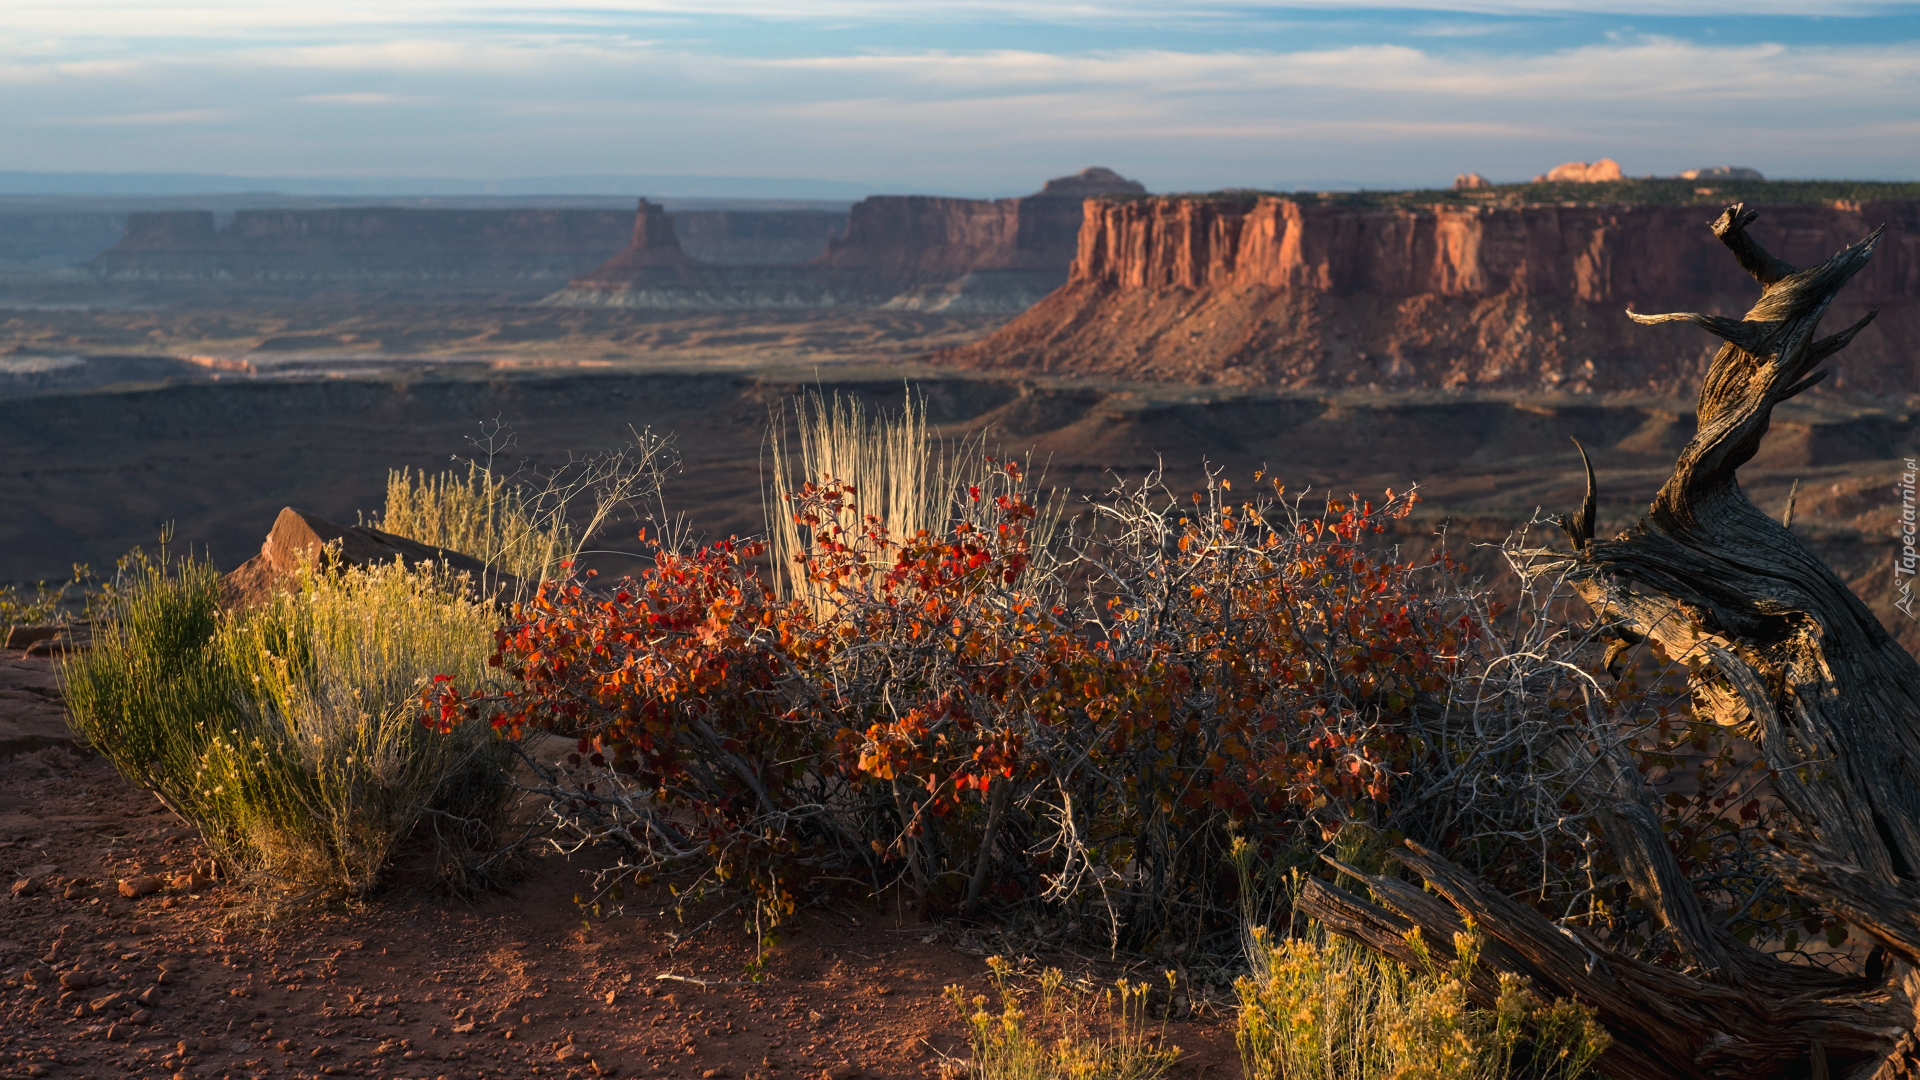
[1285, 293]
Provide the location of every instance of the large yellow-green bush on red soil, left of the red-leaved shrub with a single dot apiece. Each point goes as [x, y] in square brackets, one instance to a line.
[291, 735]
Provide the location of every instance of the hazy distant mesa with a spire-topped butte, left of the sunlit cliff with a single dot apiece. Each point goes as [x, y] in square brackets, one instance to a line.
[901, 253]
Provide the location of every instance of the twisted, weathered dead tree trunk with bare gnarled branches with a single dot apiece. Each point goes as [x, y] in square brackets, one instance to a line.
[1781, 650]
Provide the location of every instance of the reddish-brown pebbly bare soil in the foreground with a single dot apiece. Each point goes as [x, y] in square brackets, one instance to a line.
[199, 981]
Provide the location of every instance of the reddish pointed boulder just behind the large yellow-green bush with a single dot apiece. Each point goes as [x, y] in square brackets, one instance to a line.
[300, 537]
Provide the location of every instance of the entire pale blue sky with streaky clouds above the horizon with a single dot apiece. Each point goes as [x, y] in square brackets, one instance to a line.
[957, 97]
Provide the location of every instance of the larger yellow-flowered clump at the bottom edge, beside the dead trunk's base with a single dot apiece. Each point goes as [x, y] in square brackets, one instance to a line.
[1320, 1008]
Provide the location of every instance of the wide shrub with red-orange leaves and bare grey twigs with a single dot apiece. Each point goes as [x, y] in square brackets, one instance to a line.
[1084, 724]
